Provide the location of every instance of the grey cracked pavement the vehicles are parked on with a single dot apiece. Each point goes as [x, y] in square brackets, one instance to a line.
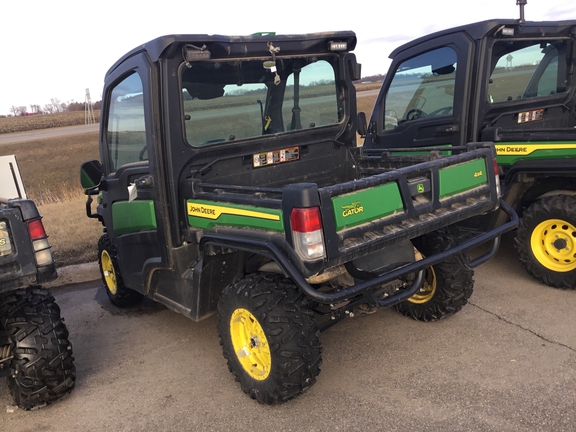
[506, 362]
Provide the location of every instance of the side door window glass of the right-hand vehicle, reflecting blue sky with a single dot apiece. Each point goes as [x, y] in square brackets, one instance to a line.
[423, 86]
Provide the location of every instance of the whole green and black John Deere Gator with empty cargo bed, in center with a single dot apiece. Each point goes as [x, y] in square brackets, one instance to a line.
[230, 182]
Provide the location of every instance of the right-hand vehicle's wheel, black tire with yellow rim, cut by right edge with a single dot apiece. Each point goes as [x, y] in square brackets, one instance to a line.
[546, 241]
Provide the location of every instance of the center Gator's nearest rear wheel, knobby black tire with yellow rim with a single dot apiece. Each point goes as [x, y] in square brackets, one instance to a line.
[269, 337]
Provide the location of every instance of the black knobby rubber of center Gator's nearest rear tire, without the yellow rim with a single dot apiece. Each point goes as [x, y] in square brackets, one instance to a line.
[289, 326]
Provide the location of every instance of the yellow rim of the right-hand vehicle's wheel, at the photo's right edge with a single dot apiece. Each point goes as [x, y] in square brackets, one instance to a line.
[553, 244]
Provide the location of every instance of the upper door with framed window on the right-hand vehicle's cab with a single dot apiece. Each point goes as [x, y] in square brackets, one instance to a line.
[423, 97]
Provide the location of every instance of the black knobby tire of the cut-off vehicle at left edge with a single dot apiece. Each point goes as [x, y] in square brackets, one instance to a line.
[42, 366]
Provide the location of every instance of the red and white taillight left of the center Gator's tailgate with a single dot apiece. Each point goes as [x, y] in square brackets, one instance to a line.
[307, 233]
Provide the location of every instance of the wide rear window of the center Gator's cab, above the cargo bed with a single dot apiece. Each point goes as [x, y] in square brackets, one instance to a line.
[237, 99]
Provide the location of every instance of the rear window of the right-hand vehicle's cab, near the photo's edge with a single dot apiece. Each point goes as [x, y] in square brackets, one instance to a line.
[523, 70]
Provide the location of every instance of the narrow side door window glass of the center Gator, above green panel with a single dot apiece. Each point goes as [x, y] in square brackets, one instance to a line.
[126, 133]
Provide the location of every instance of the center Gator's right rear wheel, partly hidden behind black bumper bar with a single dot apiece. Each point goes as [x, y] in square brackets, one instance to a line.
[447, 285]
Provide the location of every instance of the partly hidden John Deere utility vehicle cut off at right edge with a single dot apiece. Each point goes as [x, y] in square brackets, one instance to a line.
[510, 82]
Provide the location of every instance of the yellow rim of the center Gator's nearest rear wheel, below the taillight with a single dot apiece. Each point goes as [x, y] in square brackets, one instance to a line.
[250, 344]
